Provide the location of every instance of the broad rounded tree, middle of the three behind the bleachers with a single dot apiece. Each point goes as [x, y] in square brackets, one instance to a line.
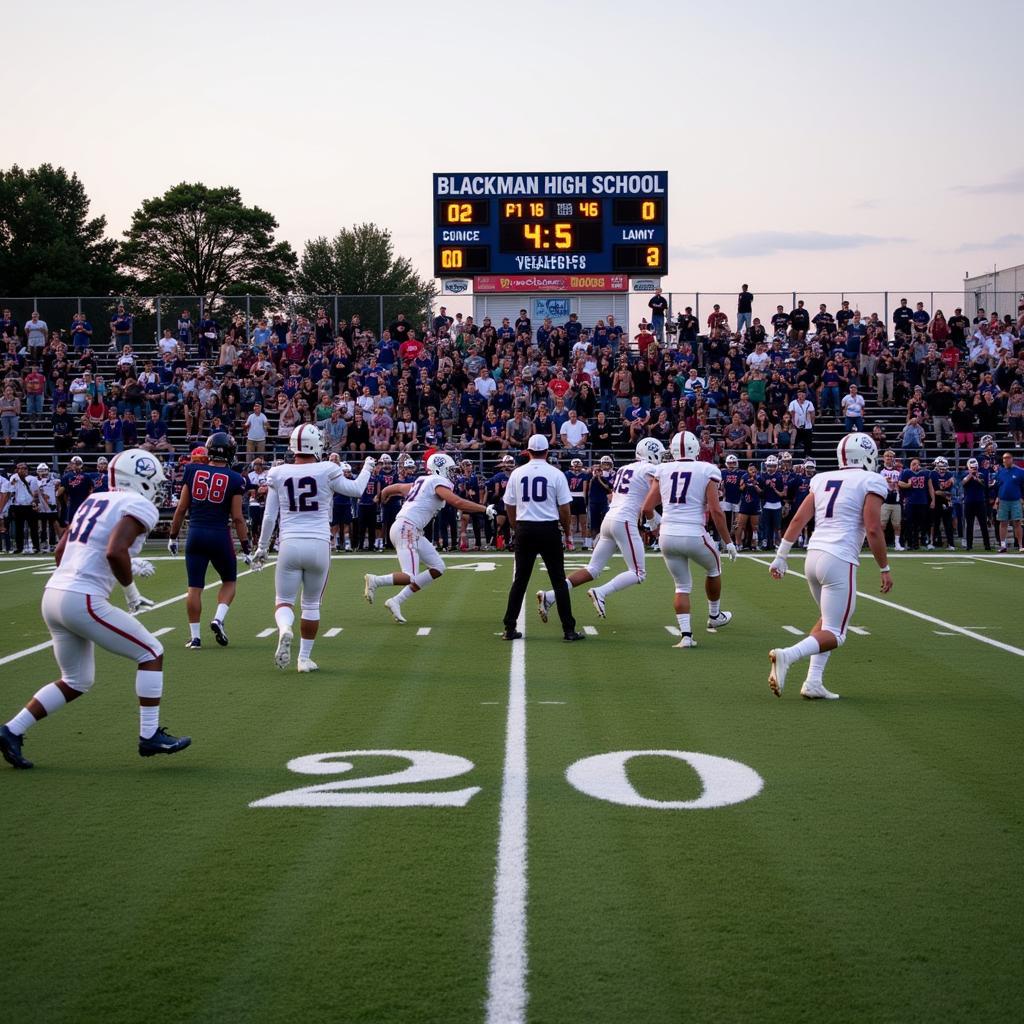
[200, 241]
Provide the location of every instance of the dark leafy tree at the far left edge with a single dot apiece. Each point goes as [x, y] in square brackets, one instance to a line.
[49, 244]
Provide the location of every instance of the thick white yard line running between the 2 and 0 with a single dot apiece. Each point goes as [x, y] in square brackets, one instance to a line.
[507, 979]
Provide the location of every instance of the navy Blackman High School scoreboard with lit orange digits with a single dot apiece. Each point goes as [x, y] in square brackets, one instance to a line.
[595, 223]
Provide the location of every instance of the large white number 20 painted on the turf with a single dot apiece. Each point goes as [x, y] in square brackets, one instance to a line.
[603, 777]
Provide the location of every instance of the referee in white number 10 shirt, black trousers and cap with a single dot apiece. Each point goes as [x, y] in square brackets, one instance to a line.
[537, 499]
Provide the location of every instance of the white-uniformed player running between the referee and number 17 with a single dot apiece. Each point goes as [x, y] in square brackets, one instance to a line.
[619, 532]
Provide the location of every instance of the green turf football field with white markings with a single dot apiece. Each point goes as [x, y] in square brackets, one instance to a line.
[443, 827]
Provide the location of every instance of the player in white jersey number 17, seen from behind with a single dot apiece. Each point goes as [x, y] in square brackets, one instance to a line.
[688, 492]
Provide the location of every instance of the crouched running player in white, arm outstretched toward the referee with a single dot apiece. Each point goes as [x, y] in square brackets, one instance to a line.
[424, 498]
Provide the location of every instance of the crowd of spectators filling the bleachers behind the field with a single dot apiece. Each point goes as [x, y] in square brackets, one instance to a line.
[468, 388]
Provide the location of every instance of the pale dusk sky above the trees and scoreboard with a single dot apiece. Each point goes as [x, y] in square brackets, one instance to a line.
[809, 146]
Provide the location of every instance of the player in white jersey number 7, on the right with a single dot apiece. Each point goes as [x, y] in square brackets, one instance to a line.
[846, 506]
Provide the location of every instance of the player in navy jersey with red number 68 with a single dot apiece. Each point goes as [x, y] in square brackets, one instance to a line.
[211, 494]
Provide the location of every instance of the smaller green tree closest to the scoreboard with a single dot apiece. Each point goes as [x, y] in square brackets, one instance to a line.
[361, 261]
